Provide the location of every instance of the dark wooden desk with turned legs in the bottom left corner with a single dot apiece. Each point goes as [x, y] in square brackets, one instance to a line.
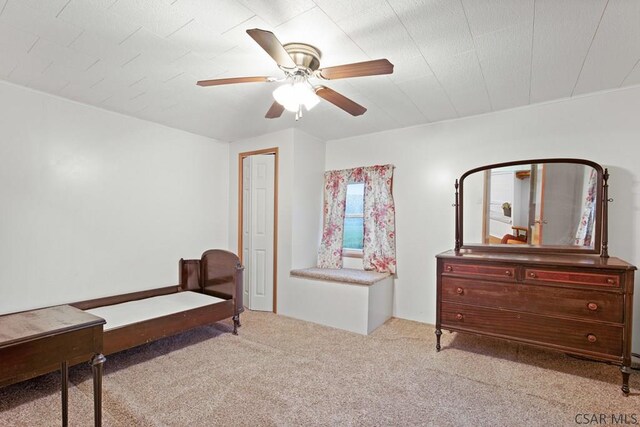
[36, 342]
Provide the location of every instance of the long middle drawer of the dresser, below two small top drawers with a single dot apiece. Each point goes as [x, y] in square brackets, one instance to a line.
[554, 301]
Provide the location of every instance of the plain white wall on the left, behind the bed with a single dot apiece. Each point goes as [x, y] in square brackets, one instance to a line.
[93, 203]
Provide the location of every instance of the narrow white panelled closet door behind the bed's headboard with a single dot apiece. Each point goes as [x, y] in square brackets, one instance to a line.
[257, 230]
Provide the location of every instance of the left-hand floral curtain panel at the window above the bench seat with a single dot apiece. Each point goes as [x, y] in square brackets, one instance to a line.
[335, 197]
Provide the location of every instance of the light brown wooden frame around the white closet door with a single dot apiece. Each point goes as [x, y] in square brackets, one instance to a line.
[241, 157]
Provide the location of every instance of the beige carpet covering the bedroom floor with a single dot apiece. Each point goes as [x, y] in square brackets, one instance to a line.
[281, 371]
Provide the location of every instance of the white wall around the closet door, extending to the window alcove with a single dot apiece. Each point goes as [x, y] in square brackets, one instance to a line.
[301, 170]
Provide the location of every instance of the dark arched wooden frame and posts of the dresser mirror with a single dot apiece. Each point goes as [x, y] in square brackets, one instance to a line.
[600, 226]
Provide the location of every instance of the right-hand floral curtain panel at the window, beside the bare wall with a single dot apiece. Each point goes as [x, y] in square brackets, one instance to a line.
[379, 220]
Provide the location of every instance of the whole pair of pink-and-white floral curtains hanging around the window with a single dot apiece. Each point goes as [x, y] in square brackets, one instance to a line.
[379, 218]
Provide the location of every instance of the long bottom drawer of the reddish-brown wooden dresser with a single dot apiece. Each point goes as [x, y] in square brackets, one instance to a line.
[580, 336]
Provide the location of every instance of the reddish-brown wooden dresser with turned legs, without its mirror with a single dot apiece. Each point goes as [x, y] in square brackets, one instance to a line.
[577, 304]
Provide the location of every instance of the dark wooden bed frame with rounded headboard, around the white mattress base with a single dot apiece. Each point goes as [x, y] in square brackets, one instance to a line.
[217, 273]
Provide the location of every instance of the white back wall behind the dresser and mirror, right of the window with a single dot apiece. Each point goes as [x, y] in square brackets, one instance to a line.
[602, 127]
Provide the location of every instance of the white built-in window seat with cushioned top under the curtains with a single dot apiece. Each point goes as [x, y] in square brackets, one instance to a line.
[351, 299]
